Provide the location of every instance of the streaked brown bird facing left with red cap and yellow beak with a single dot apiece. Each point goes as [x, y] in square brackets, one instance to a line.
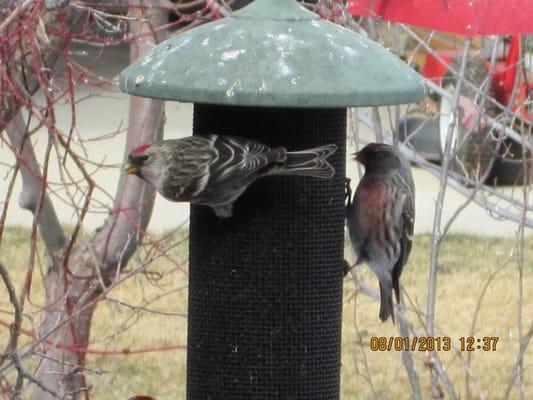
[214, 170]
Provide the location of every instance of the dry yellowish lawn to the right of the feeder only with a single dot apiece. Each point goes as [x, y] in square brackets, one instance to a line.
[466, 264]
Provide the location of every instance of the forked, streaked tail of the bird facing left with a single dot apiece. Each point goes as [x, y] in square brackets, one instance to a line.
[310, 162]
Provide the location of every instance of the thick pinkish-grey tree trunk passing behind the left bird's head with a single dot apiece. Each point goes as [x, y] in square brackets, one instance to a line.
[73, 283]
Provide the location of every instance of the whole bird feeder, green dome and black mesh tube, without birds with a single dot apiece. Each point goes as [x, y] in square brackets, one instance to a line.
[265, 286]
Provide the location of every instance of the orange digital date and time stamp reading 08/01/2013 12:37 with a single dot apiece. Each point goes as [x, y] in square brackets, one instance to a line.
[429, 343]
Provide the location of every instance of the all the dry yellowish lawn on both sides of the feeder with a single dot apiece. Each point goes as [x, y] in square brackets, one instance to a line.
[466, 264]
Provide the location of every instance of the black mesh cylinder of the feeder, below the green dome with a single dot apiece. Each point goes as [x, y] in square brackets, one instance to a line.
[265, 287]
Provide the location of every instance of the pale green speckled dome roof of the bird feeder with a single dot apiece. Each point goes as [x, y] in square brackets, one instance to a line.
[273, 53]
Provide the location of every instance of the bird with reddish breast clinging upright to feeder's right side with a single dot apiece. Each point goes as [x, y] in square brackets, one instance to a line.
[380, 218]
